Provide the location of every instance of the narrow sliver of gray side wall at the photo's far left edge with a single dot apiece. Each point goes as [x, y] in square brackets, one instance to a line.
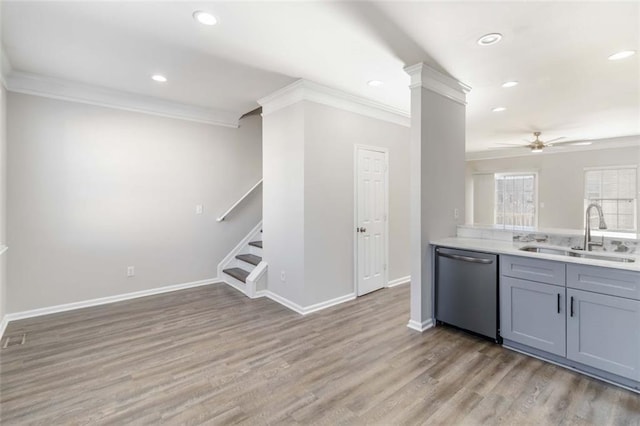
[3, 200]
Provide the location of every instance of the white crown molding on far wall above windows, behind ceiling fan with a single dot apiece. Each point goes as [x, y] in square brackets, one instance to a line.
[597, 144]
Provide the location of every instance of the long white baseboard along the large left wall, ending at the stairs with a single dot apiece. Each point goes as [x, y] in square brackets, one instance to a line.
[106, 300]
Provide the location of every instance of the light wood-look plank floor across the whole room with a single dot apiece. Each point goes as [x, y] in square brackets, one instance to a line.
[211, 355]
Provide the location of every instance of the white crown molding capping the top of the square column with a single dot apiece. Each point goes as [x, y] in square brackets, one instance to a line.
[422, 75]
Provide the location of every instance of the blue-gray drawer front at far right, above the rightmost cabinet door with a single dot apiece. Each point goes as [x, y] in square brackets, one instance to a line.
[614, 282]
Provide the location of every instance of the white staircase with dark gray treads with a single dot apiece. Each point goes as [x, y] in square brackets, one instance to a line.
[244, 269]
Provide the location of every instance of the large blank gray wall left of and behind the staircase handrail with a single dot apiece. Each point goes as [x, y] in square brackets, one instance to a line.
[92, 190]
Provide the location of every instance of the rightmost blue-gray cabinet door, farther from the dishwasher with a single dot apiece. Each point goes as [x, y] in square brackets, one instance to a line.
[604, 332]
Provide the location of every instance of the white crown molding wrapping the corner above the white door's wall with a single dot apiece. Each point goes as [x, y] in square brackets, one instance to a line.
[304, 90]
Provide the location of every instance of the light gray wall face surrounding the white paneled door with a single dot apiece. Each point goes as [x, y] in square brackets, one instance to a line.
[330, 137]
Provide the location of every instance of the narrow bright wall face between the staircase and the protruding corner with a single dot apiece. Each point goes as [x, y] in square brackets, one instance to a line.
[283, 201]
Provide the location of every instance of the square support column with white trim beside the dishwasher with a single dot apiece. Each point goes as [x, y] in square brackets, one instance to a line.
[437, 177]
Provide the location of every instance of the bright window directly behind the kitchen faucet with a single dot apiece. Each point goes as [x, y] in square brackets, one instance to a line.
[615, 190]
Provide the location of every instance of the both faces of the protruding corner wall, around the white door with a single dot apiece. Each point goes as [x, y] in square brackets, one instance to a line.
[309, 199]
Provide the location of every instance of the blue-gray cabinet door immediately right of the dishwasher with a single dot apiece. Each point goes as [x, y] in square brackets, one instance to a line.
[533, 314]
